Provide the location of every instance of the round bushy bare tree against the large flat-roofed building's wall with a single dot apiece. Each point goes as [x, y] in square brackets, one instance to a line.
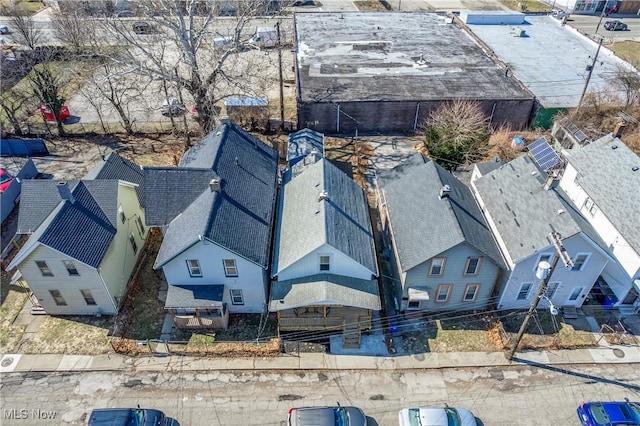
[457, 132]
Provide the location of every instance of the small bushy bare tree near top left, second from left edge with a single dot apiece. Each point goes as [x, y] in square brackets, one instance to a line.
[73, 29]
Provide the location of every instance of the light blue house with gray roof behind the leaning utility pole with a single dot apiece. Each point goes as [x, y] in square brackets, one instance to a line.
[522, 208]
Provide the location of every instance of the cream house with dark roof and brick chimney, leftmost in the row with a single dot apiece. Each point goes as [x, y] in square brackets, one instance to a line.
[85, 238]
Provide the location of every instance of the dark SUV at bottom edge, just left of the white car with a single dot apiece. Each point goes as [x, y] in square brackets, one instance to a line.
[326, 416]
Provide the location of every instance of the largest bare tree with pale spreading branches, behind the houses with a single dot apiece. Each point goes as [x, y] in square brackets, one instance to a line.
[181, 51]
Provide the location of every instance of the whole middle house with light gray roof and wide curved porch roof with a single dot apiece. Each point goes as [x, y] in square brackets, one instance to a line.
[324, 264]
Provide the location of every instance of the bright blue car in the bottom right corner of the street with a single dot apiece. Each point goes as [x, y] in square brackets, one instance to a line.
[609, 413]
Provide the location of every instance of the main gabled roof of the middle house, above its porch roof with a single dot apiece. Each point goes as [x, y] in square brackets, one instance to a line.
[342, 221]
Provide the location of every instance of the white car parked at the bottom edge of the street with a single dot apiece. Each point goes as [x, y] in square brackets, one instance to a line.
[436, 416]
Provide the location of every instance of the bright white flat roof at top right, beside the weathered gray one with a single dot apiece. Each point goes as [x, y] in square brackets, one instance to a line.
[551, 59]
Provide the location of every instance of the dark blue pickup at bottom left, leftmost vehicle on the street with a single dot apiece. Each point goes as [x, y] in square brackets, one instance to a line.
[128, 417]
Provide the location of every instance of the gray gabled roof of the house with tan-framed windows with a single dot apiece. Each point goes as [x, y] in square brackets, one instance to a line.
[425, 225]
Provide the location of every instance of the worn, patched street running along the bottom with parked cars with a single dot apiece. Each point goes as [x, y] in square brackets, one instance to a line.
[506, 395]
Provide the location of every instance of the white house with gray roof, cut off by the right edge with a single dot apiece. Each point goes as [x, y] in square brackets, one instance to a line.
[602, 180]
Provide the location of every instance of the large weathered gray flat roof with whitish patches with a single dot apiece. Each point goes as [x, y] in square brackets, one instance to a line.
[394, 56]
